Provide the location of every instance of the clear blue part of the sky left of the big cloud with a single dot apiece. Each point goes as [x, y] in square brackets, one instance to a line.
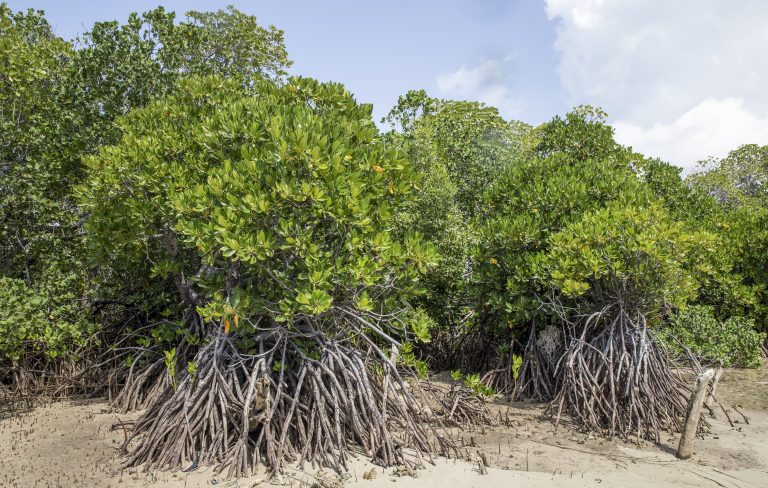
[380, 50]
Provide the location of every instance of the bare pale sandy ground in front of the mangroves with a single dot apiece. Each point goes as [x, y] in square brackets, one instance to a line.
[73, 444]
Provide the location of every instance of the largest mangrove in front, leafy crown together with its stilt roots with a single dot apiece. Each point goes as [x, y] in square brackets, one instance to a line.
[271, 209]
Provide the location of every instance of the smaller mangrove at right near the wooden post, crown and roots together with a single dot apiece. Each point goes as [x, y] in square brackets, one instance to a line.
[614, 273]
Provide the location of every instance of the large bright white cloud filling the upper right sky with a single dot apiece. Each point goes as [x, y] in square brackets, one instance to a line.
[695, 69]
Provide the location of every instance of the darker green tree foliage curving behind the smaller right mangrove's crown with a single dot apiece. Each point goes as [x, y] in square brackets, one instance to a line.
[524, 207]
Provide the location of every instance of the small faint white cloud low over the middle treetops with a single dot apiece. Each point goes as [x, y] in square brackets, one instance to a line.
[487, 83]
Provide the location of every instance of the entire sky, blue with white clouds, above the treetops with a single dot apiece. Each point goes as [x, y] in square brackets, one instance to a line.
[680, 79]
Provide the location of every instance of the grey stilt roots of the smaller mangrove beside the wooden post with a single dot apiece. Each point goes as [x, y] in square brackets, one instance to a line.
[615, 378]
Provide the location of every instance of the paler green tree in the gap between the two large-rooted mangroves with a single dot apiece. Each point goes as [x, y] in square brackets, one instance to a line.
[457, 148]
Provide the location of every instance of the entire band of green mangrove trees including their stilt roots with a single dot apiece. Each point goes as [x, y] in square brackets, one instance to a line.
[250, 258]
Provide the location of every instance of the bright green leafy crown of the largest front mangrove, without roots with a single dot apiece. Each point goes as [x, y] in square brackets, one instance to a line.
[295, 210]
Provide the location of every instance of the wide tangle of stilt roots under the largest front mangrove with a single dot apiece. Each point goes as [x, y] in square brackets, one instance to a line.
[301, 397]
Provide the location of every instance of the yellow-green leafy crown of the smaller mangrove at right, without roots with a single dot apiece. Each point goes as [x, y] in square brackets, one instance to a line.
[636, 255]
